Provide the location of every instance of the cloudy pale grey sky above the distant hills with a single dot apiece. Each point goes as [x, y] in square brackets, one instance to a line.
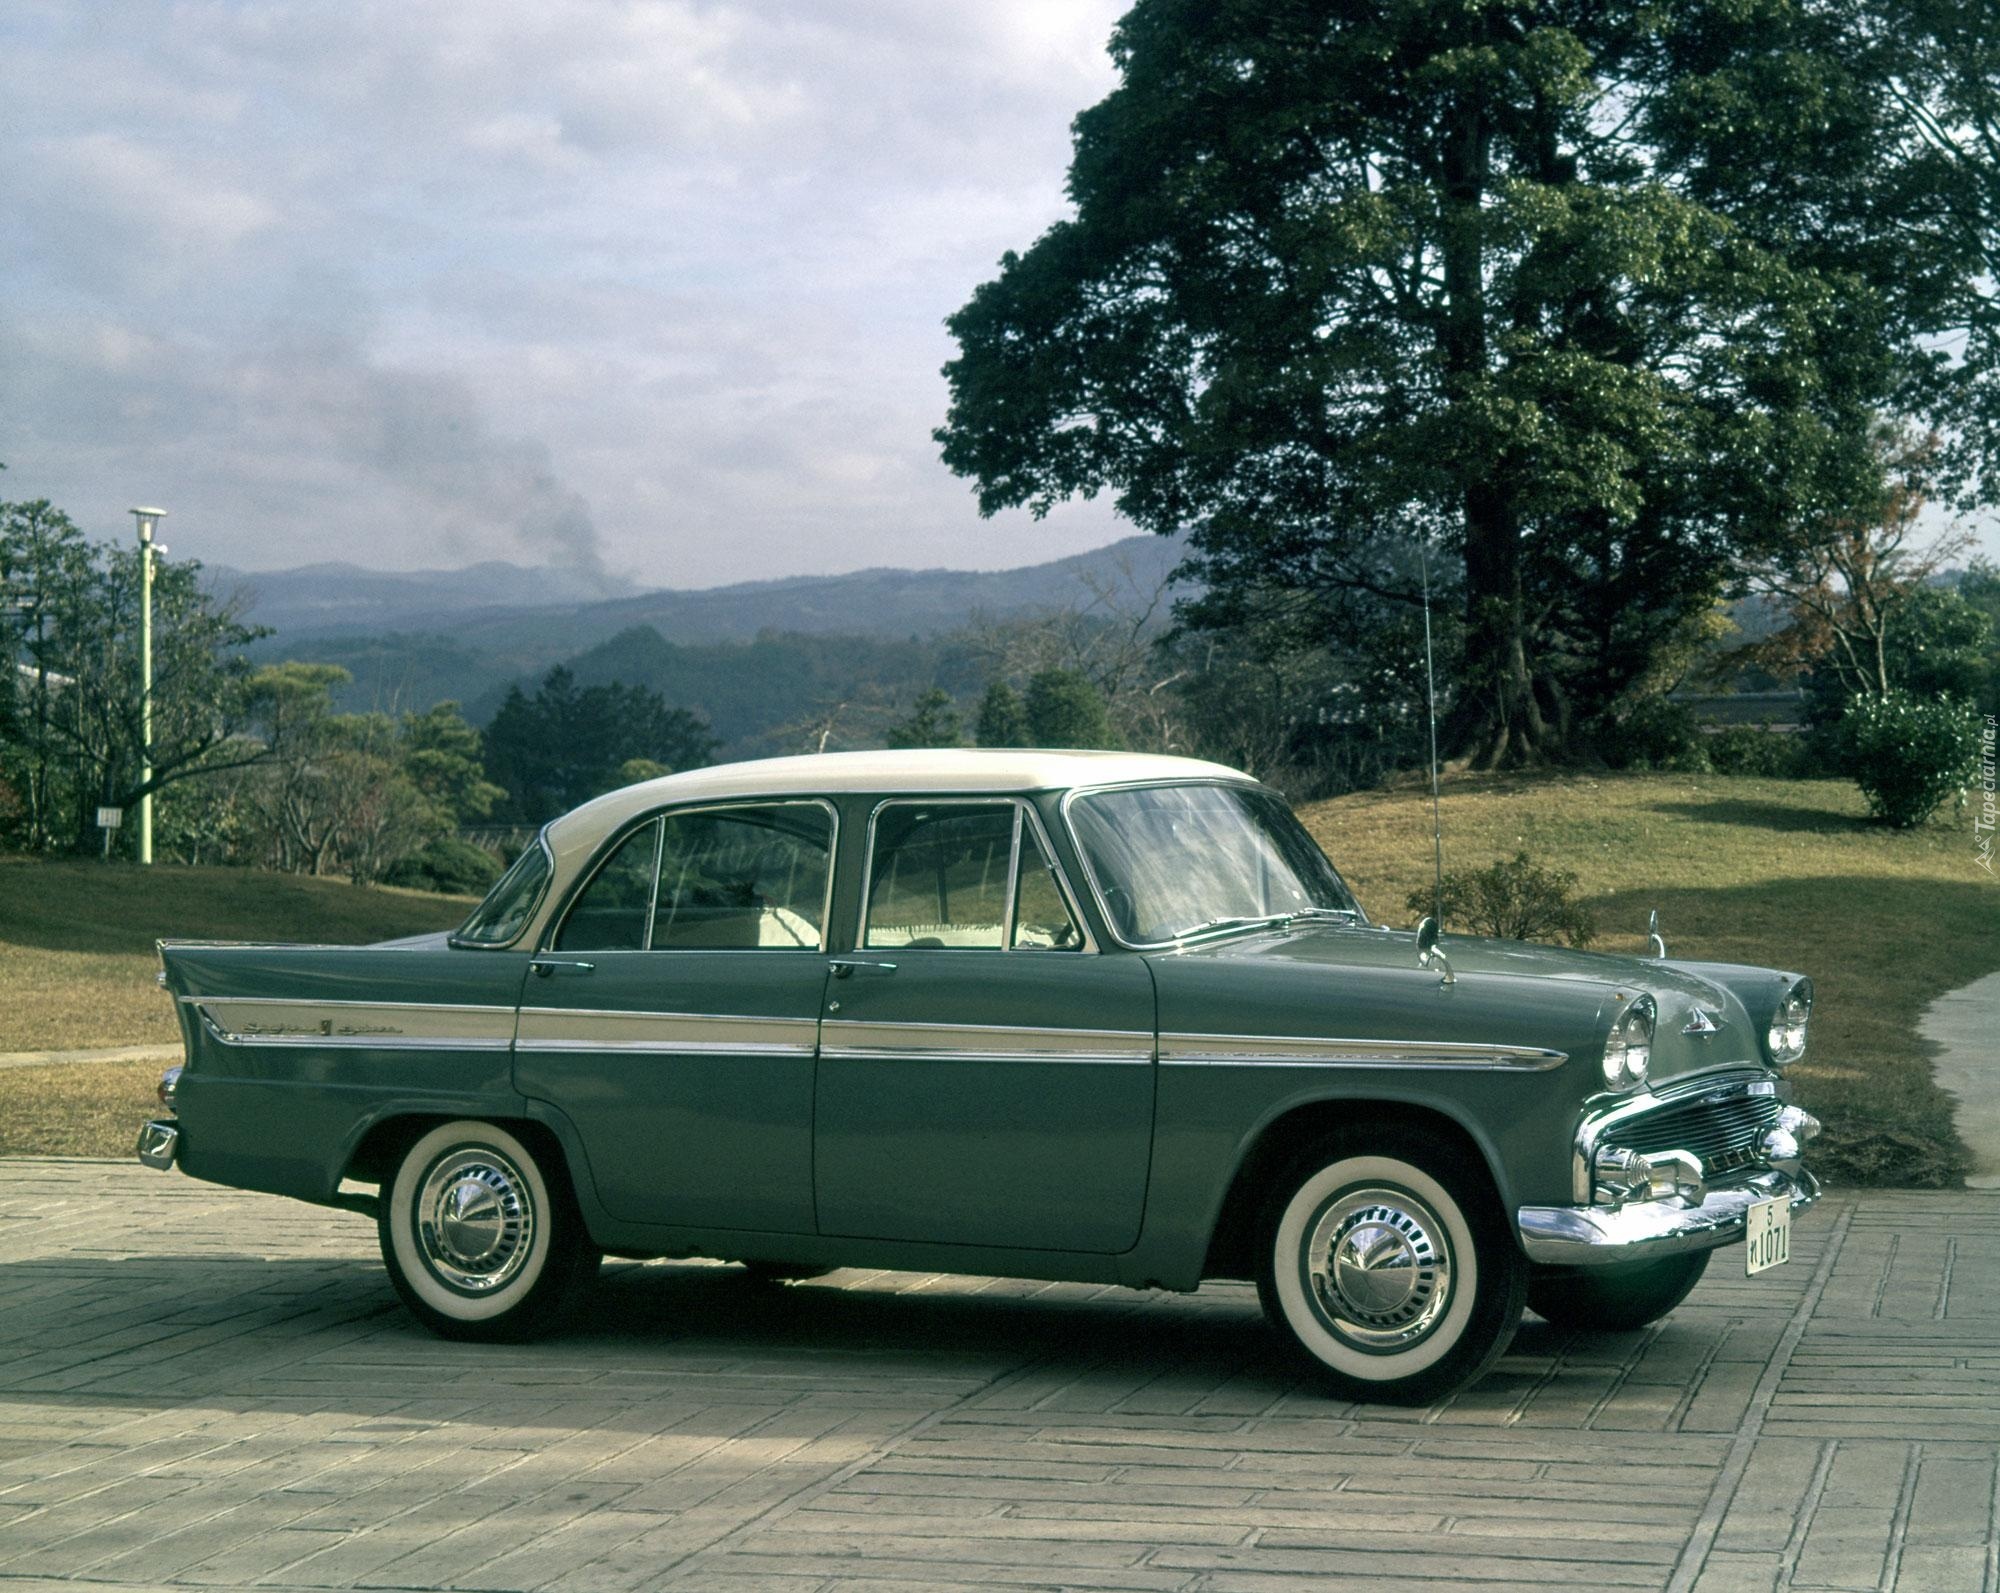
[643, 285]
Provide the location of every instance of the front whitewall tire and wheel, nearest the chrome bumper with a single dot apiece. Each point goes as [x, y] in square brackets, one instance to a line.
[1389, 1268]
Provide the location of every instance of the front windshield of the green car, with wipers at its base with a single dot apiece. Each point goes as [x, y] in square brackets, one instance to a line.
[1175, 862]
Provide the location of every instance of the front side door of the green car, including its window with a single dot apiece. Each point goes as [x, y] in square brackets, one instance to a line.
[985, 1076]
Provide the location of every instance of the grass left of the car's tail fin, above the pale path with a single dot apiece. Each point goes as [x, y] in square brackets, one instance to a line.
[77, 940]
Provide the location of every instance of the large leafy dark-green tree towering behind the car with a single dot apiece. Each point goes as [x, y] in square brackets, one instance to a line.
[1581, 295]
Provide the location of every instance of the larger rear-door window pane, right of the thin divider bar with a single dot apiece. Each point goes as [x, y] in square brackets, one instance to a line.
[745, 880]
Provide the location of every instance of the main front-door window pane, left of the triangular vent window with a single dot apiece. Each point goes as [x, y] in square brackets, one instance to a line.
[941, 876]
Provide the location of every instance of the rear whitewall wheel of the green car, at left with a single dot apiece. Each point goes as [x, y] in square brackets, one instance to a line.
[481, 1238]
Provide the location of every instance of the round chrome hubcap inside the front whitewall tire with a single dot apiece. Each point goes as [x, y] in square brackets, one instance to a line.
[1381, 1268]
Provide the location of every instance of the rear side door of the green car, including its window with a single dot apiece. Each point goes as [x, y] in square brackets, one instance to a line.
[673, 1014]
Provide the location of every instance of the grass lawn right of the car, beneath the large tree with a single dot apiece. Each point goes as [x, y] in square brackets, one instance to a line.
[1781, 874]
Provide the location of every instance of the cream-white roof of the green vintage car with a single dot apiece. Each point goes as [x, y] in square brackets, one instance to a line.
[969, 769]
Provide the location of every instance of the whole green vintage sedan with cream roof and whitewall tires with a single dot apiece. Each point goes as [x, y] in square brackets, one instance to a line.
[1061, 1016]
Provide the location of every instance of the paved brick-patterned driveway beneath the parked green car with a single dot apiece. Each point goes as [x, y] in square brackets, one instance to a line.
[219, 1390]
